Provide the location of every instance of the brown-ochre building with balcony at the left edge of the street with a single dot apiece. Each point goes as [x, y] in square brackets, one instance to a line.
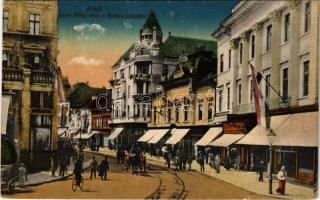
[28, 74]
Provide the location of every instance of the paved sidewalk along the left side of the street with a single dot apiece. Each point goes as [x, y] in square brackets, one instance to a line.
[45, 176]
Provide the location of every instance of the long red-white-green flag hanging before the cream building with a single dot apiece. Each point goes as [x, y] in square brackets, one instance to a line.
[262, 110]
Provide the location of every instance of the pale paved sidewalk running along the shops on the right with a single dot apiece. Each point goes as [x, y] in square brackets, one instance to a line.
[243, 179]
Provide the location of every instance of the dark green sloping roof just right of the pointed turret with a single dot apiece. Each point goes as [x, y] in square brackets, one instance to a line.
[174, 46]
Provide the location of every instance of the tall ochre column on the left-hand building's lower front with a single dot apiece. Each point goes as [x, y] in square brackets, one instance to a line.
[25, 113]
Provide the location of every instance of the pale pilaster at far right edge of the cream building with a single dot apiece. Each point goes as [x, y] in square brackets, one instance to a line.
[314, 52]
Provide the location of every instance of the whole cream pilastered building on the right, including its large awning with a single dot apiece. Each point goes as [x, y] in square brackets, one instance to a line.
[281, 40]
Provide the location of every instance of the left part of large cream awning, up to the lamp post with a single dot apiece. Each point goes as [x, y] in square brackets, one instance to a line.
[257, 136]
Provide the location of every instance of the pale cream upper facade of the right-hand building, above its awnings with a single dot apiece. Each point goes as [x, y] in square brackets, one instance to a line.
[278, 38]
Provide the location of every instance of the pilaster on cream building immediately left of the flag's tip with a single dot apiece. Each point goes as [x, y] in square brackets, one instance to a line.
[245, 66]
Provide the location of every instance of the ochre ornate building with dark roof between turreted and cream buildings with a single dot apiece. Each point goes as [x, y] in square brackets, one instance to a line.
[186, 102]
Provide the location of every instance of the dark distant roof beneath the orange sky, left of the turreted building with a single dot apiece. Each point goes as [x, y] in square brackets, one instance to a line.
[81, 94]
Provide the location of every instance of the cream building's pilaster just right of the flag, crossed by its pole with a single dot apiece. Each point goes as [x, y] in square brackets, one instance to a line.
[275, 56]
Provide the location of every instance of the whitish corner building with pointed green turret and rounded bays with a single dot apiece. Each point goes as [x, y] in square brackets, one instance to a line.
[135, 76]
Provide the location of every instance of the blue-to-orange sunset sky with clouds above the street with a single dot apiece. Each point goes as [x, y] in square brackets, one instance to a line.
[94, 34]
